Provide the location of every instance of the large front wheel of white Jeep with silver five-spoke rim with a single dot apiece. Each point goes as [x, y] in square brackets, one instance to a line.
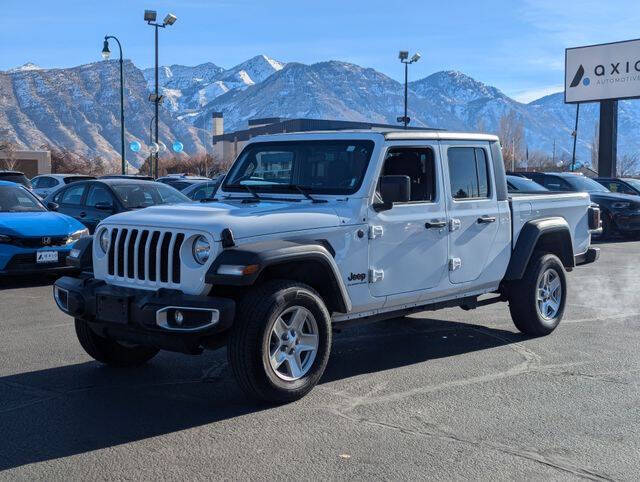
[280, 342]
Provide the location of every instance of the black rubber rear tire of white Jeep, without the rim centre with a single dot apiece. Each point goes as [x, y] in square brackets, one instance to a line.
[523, 296]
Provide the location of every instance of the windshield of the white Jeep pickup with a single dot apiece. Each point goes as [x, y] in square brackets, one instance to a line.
[328, 167]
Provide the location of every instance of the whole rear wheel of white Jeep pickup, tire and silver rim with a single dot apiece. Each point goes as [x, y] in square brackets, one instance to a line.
[537, 301]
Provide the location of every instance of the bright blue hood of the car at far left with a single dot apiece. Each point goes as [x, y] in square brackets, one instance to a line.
[44, 223]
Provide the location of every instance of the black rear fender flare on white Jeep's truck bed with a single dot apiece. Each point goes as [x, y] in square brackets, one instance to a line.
[528, 239]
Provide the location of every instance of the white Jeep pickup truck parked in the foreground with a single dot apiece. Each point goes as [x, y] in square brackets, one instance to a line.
[310, 230]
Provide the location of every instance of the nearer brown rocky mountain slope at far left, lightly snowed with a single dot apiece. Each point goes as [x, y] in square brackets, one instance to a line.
[79, 109]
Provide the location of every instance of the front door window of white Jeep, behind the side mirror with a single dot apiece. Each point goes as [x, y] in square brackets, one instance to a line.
[419, 165]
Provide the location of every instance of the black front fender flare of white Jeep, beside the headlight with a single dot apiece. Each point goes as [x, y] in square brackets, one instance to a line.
[264, 254]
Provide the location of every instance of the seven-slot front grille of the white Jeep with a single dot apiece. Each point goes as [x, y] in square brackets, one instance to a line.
[146, 255]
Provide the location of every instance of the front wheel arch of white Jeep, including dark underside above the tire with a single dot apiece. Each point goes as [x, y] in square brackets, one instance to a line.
[310, 262]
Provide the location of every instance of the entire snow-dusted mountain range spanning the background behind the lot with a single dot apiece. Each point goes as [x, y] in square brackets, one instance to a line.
[78, 108]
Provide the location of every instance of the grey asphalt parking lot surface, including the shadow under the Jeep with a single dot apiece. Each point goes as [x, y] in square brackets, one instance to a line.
[447, 395]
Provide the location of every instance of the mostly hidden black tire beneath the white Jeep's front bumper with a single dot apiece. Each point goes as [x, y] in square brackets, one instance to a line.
[111, 352]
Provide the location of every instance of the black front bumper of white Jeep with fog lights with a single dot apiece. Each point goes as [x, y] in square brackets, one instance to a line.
[146, 317]
